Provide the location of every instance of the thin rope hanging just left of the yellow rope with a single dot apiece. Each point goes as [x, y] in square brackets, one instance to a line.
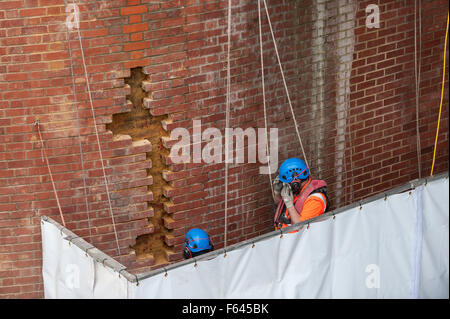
[417, 79]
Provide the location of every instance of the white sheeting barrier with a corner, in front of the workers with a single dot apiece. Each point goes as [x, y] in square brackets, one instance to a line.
[393, 247]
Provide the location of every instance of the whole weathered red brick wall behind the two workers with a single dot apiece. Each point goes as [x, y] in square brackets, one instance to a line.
[181, 47]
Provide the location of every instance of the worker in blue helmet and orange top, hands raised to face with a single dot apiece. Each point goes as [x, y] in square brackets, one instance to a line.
[299, 197]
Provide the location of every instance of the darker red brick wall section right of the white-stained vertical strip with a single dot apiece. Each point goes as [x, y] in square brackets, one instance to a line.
[383, 107]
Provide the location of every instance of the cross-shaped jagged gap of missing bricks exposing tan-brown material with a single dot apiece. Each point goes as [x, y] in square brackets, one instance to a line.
[140, 124]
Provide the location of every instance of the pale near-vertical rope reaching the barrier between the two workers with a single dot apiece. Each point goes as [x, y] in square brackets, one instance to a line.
[227, 122]
